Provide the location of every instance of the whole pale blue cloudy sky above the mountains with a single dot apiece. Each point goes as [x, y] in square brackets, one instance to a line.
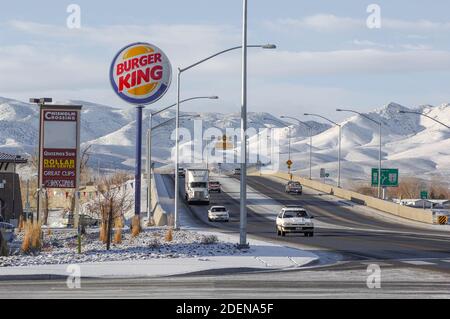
[326, 58]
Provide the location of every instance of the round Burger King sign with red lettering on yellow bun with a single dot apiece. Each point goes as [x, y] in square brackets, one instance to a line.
[140, 73]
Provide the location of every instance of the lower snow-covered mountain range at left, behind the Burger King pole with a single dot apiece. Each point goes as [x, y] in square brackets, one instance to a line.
[111, 131]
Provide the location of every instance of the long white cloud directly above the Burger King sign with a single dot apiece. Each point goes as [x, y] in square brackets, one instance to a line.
[182, 42]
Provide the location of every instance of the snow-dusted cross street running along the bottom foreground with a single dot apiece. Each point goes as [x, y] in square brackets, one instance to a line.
[345, 281]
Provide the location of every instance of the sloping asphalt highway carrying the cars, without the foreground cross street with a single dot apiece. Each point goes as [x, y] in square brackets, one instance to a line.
[370, 239]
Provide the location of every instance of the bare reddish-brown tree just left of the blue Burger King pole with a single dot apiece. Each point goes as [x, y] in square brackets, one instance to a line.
[112, 201]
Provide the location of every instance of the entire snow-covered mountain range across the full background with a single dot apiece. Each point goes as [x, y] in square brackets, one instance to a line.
[416, 145]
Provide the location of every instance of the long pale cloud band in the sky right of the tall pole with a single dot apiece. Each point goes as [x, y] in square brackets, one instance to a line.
[348, 62]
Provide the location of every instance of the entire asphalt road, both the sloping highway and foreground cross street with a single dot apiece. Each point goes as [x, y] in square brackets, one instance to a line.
[414, 263]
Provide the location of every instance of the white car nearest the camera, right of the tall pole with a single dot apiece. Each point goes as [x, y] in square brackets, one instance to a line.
[294, 220]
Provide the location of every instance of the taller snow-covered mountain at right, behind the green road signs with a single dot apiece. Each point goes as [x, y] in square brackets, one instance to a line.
[416, 145]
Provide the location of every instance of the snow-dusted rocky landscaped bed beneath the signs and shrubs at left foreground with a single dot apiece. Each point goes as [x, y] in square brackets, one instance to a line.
[60, 247]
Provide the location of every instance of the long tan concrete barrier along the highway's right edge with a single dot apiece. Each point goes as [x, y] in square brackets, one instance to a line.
[424, 216]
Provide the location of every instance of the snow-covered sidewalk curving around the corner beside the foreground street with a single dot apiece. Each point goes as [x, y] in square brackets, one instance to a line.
[261, 256]
